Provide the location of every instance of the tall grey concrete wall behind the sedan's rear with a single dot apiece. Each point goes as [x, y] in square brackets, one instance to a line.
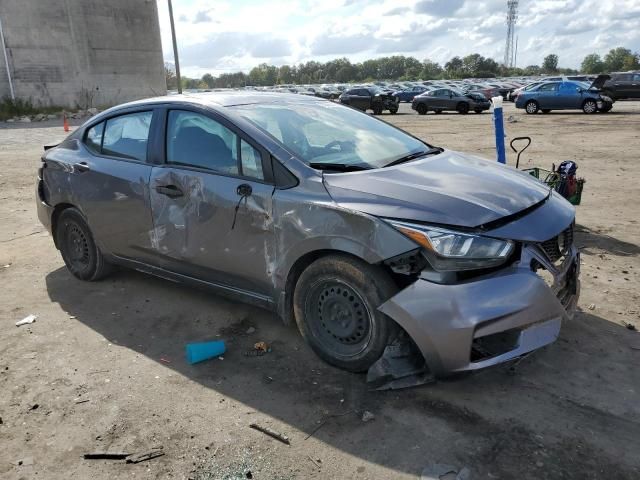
[82, 53]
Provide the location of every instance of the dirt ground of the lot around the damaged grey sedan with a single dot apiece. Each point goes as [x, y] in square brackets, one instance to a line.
[569, 411]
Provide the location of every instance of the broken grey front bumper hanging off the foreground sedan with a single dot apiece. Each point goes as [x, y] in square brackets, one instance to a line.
[490, 319]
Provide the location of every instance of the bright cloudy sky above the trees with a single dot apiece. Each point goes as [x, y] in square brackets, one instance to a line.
[236, 35]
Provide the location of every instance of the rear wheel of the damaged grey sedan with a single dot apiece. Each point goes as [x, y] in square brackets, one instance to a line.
[79, 251]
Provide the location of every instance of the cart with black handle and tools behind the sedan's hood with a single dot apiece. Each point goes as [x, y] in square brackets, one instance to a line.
[563, 179]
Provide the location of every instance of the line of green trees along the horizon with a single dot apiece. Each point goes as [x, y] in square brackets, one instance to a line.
[399, 67]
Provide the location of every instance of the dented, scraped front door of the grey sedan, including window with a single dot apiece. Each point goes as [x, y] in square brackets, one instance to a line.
[211, 205]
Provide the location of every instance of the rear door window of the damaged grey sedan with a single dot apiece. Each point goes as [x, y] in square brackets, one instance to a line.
[126, 136]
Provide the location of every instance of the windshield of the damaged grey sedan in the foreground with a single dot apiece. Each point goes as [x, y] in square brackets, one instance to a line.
[324, 132]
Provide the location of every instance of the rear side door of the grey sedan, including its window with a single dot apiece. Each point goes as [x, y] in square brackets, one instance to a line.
[109, 181]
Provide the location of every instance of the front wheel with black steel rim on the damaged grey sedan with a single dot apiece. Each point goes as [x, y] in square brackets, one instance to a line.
[336, 302]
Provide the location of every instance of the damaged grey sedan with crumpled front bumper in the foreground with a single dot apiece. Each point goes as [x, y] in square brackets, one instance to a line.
[358, 232]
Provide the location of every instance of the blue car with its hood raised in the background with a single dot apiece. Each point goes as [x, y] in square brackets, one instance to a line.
[566, 95]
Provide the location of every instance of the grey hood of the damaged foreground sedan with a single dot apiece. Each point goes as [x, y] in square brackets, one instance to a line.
[449, 188]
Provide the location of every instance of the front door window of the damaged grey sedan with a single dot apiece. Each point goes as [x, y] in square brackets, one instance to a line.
[199, 141]
